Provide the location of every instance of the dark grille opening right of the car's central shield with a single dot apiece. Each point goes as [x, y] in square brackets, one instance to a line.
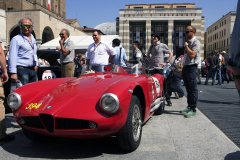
[65, 123]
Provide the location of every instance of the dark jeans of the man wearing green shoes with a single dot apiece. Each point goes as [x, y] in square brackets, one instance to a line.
[189, 74]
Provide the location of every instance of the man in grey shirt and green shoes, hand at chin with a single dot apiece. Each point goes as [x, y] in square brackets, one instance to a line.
[192, 54]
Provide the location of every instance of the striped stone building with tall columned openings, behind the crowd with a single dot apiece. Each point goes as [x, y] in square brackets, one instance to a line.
[138, 22]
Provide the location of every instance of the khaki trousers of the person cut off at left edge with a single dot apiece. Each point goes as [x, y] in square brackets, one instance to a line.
[2, 112]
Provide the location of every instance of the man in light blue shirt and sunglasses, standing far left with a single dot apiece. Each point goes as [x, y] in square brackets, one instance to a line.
[23, 60]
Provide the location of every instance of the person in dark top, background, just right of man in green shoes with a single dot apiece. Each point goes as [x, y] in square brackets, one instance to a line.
[213, 61]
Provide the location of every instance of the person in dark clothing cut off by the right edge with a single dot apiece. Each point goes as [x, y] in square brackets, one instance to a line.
[234, 62]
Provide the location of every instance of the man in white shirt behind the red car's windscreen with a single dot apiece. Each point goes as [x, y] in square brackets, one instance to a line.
[99, 53]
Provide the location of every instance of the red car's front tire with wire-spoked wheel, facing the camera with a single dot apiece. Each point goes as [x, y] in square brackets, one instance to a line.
[130, 135]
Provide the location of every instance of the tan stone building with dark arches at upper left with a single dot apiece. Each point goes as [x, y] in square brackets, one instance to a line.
[47, 22]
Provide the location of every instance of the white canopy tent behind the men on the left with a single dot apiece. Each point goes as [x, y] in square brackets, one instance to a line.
[80, 42]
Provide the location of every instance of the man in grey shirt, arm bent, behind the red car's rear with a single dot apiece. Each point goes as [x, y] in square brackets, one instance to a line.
[157, 51]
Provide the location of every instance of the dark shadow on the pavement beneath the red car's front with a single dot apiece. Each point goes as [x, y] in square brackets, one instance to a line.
[59, 148]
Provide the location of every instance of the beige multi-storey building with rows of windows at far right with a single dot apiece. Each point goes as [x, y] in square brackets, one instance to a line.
[219, 34]
